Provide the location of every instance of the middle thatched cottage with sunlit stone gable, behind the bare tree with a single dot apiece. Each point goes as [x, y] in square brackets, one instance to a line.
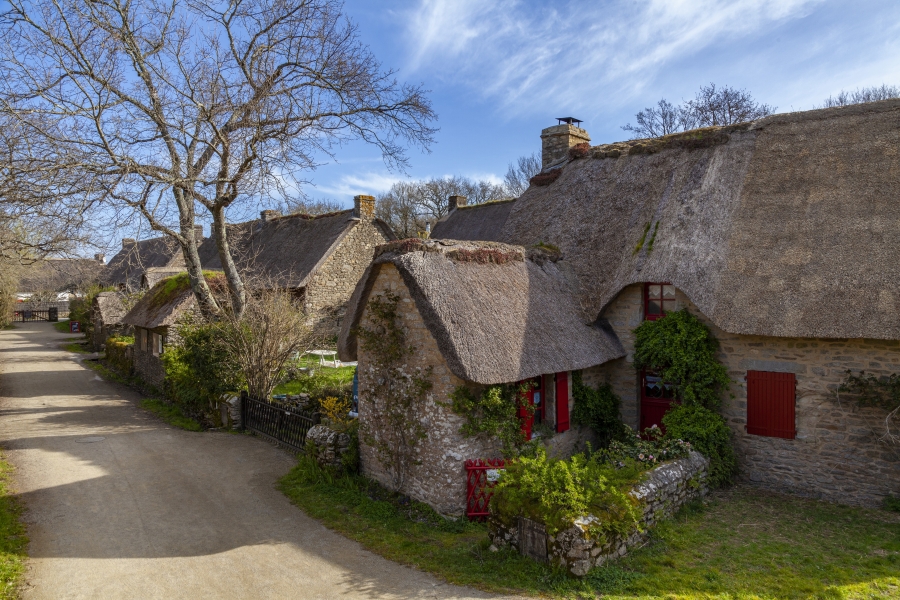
[320, 258]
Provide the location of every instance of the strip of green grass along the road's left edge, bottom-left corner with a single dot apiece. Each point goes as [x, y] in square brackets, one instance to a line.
[13, 538]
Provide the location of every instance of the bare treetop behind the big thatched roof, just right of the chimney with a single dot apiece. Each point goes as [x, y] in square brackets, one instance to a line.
[712, 106]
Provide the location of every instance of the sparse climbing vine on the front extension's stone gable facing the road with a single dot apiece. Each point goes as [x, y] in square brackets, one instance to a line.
[396, 394]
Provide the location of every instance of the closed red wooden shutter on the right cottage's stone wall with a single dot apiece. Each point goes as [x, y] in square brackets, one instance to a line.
[771, 398]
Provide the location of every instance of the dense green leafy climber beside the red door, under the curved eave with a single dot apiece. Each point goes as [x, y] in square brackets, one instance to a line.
[682, 350]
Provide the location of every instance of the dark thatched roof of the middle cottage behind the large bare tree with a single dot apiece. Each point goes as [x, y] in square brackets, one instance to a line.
[284, 251]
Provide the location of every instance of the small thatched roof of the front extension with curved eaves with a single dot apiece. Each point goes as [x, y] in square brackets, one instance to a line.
[497, 315]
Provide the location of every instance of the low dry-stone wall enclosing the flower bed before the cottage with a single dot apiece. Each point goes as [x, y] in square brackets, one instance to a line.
[663, 490]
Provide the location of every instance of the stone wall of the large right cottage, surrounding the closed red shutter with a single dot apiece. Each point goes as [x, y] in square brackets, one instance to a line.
[835, 455]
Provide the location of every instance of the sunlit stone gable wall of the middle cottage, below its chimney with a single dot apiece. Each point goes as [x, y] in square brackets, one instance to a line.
[333, 283]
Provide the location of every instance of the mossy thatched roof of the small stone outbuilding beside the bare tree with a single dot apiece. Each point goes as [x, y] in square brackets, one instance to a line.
[167, 300]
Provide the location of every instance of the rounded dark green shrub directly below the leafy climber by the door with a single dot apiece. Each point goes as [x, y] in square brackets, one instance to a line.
[709, 434]
